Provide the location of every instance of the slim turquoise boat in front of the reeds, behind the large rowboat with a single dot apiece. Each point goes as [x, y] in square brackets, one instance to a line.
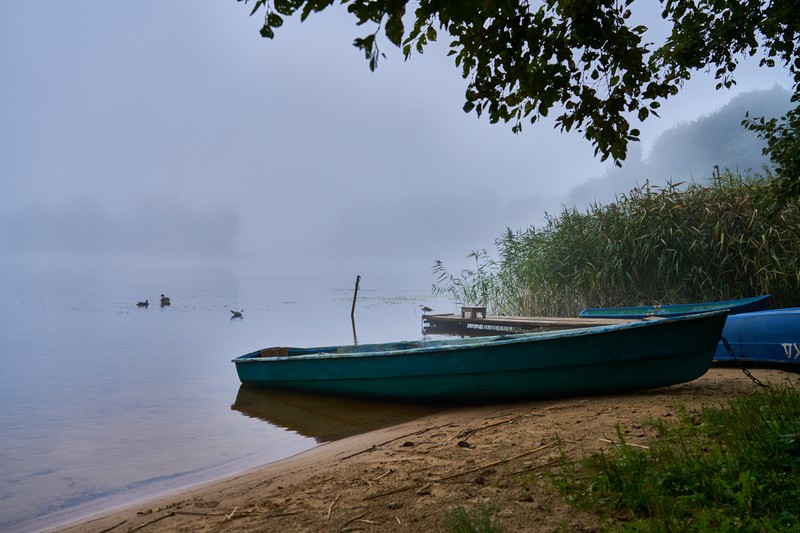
[734, 307]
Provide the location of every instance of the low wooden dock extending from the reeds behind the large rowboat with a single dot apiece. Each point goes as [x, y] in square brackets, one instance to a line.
[452, 323]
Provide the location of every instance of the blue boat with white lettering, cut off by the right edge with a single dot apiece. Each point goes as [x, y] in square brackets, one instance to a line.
[767, 337]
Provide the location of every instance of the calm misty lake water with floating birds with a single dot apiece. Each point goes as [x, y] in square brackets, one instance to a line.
[104, 403]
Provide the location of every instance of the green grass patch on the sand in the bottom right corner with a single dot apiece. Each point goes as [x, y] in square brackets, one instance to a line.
[733, 468]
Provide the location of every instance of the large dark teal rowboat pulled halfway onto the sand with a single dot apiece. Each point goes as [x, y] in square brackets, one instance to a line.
[603, 359]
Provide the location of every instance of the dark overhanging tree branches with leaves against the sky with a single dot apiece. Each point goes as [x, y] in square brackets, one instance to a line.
[585, 59]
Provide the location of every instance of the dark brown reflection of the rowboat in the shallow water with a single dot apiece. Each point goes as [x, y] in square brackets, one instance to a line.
[323, 418]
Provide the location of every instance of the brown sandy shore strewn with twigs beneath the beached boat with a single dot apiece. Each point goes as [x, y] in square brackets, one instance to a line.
[404, 478]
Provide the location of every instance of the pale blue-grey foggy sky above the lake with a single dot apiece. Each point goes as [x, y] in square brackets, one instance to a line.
[166, 129]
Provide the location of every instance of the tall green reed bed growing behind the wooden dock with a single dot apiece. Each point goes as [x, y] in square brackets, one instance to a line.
[679, 243]
